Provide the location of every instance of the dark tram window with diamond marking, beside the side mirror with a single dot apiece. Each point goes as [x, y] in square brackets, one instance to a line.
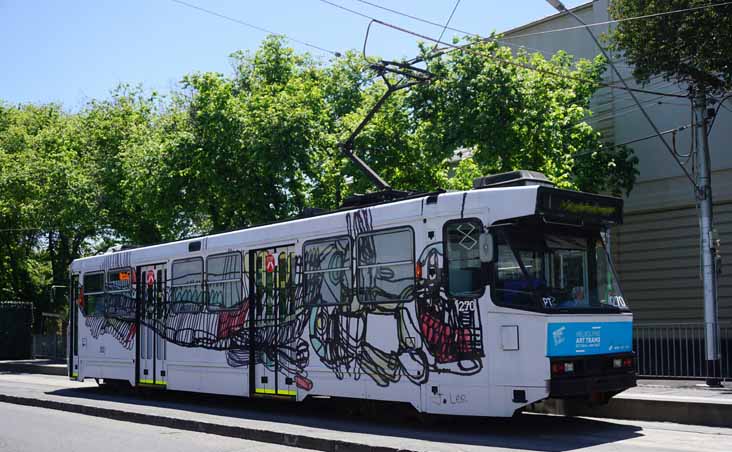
[464, 269]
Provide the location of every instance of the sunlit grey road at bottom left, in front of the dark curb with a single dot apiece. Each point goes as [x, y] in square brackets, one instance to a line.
[30, 429]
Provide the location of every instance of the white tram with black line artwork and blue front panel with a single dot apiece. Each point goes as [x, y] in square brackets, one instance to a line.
[466, 303]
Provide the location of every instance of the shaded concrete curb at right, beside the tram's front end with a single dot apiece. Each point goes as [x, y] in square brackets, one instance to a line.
[645, 409]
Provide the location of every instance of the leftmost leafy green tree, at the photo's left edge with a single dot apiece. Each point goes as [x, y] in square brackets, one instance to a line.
[48, 202]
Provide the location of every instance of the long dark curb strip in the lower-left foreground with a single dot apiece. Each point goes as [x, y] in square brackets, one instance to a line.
[264, 436]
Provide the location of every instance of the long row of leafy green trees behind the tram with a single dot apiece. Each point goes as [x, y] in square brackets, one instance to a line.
[261, 144]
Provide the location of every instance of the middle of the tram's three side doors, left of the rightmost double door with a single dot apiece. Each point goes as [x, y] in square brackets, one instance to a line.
[150, 289]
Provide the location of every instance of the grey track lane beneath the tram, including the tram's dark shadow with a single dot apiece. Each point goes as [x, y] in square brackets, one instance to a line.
[337, 422]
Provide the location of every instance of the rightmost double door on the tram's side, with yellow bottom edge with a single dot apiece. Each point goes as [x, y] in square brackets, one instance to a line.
[274, 326]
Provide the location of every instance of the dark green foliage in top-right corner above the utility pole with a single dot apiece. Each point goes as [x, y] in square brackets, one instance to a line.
[692, 46]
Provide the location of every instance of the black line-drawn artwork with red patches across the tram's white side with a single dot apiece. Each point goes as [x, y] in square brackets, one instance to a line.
[381, 321]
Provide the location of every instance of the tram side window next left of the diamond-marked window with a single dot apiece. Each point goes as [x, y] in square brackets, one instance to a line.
[385, 266]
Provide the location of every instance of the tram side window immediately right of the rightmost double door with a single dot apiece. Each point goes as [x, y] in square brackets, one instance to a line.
[327, 271]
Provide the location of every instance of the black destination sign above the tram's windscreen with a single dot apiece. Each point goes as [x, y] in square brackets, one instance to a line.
[573, 206]
